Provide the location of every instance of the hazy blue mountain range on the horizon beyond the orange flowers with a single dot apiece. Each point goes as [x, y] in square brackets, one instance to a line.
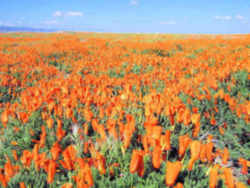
[6, 29]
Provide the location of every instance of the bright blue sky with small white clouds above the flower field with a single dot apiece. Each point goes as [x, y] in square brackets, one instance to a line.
[147, 16]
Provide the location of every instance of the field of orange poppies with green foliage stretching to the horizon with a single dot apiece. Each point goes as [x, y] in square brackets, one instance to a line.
[124, 110]
